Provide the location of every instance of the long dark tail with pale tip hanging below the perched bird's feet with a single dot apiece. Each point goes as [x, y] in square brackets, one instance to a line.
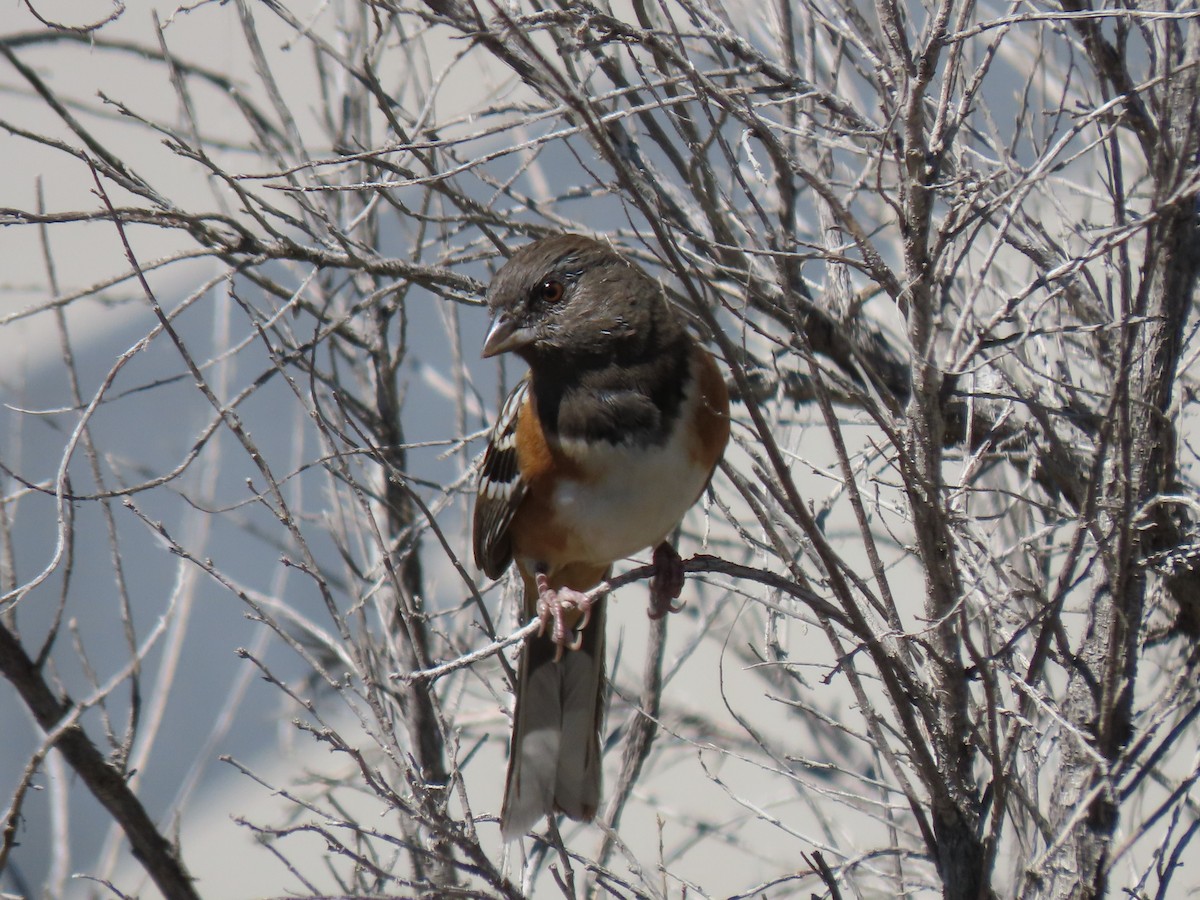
[555, 753]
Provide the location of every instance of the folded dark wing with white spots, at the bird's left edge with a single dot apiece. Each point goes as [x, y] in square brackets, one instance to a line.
[501, 489]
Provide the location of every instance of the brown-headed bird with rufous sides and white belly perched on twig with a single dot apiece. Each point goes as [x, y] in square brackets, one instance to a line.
[596, 455]
